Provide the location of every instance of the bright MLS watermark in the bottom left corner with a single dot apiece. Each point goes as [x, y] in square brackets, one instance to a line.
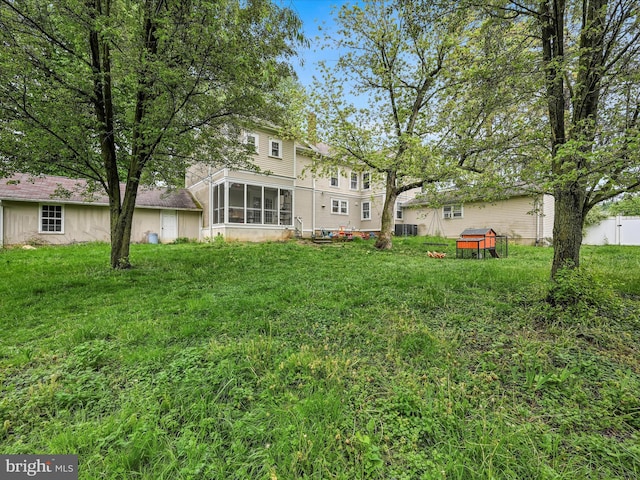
[46, 467]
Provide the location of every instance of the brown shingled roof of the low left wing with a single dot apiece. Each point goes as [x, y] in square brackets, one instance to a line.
[24, 187]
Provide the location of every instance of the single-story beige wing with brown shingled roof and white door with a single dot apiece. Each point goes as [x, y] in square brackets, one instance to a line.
[53, 210]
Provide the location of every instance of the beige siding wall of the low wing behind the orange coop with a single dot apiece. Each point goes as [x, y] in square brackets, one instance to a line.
[514, 217]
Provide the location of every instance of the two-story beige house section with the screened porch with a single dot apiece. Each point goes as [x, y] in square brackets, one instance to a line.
[288, 199]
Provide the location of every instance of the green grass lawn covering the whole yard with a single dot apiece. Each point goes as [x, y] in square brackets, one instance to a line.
[290, 361]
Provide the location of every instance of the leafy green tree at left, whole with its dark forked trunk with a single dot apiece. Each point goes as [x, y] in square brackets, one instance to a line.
[134, 92]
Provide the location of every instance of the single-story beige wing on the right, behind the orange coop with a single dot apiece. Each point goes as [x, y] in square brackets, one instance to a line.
[524, 217]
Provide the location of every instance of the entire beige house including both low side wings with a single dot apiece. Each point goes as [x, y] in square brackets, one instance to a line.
[284, 198]
